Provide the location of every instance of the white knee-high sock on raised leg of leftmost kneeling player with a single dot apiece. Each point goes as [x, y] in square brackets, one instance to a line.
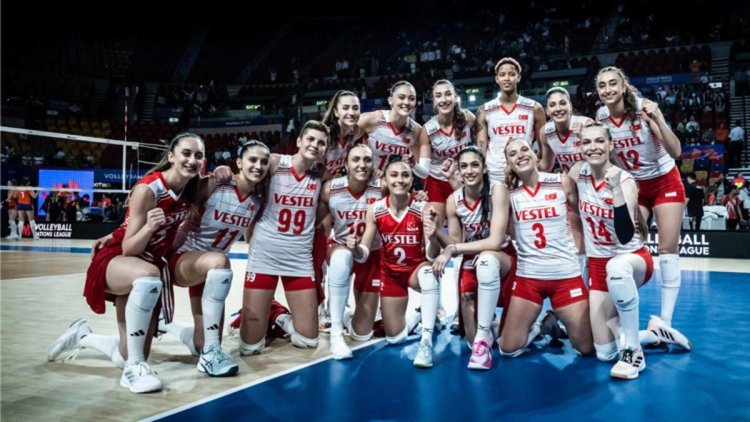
[143, 296]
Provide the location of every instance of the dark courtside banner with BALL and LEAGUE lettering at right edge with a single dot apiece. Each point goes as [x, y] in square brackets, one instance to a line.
[709, 244]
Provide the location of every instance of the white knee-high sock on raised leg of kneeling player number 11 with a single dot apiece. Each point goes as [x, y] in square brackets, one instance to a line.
[215, 291]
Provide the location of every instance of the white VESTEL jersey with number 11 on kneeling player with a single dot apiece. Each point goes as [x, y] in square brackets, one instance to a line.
[223, 219]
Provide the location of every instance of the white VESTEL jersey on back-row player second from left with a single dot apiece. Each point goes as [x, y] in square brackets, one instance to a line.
[385, 140]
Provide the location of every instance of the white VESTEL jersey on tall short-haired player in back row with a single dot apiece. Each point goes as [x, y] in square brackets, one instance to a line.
[503, 124]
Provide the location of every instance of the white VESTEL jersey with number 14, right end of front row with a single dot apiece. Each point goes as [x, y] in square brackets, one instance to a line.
[597, 215]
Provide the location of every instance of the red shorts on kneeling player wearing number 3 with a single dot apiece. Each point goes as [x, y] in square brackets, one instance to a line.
[562, 292]
